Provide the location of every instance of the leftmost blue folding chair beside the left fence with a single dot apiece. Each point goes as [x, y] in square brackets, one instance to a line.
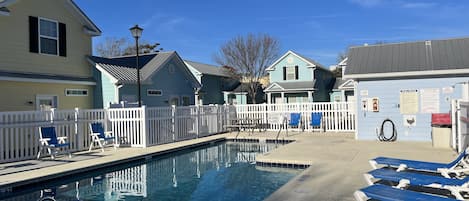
[48, 139]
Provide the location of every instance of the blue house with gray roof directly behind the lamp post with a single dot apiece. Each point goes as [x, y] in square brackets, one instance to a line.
[165, 80]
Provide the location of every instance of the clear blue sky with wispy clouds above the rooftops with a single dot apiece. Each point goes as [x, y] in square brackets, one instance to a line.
[317, 29]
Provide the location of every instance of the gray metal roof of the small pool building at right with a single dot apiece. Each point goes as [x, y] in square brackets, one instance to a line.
[434, 55]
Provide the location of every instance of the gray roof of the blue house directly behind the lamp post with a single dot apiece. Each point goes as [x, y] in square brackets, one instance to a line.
[124, 68]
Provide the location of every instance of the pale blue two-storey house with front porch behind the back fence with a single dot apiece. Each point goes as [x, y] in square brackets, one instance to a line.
[296, 79]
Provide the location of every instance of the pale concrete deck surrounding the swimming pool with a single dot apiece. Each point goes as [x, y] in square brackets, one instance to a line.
[337, 162]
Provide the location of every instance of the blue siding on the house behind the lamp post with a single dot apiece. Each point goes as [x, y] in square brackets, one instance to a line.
[173, 85]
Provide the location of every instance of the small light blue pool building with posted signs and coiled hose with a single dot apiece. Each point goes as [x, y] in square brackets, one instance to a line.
[405, 83]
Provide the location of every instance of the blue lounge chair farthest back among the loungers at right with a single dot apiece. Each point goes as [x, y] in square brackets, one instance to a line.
[456, 167]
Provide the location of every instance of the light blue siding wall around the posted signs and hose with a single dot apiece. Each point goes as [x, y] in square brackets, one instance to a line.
[388, 92]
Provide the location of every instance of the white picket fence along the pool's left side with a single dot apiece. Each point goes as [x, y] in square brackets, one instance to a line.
[134, 127]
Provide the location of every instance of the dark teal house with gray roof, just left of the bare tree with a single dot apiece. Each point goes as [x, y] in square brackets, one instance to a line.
[214, 81]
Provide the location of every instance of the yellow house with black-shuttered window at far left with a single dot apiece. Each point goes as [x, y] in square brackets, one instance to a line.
[43, 51]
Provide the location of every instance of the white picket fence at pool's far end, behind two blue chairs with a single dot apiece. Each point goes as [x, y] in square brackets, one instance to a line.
[337, 116]
